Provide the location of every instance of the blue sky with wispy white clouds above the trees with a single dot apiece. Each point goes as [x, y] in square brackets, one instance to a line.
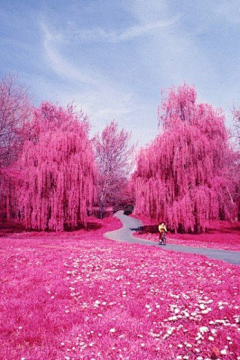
[113, 58]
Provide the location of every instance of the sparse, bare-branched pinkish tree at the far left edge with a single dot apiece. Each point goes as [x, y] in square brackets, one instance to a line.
[15, 114]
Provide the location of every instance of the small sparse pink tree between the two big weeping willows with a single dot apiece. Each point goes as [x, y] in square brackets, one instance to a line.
[114, 158]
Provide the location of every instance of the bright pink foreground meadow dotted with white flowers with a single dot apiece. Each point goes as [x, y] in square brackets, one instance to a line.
[80, 296]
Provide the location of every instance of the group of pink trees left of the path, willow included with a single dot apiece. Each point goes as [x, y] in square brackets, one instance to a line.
[51, 173]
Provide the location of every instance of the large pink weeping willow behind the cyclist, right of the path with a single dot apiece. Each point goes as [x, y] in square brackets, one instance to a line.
[181, 178]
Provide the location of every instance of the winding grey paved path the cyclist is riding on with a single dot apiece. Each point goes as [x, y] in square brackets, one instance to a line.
[125, 235]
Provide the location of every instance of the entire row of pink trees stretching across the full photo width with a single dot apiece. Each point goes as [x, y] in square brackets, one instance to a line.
[52, 174]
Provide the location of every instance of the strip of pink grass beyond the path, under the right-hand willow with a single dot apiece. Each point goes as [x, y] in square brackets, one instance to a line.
[223, 235]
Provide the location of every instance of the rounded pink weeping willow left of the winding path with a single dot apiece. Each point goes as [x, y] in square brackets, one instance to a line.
[57, 171]
